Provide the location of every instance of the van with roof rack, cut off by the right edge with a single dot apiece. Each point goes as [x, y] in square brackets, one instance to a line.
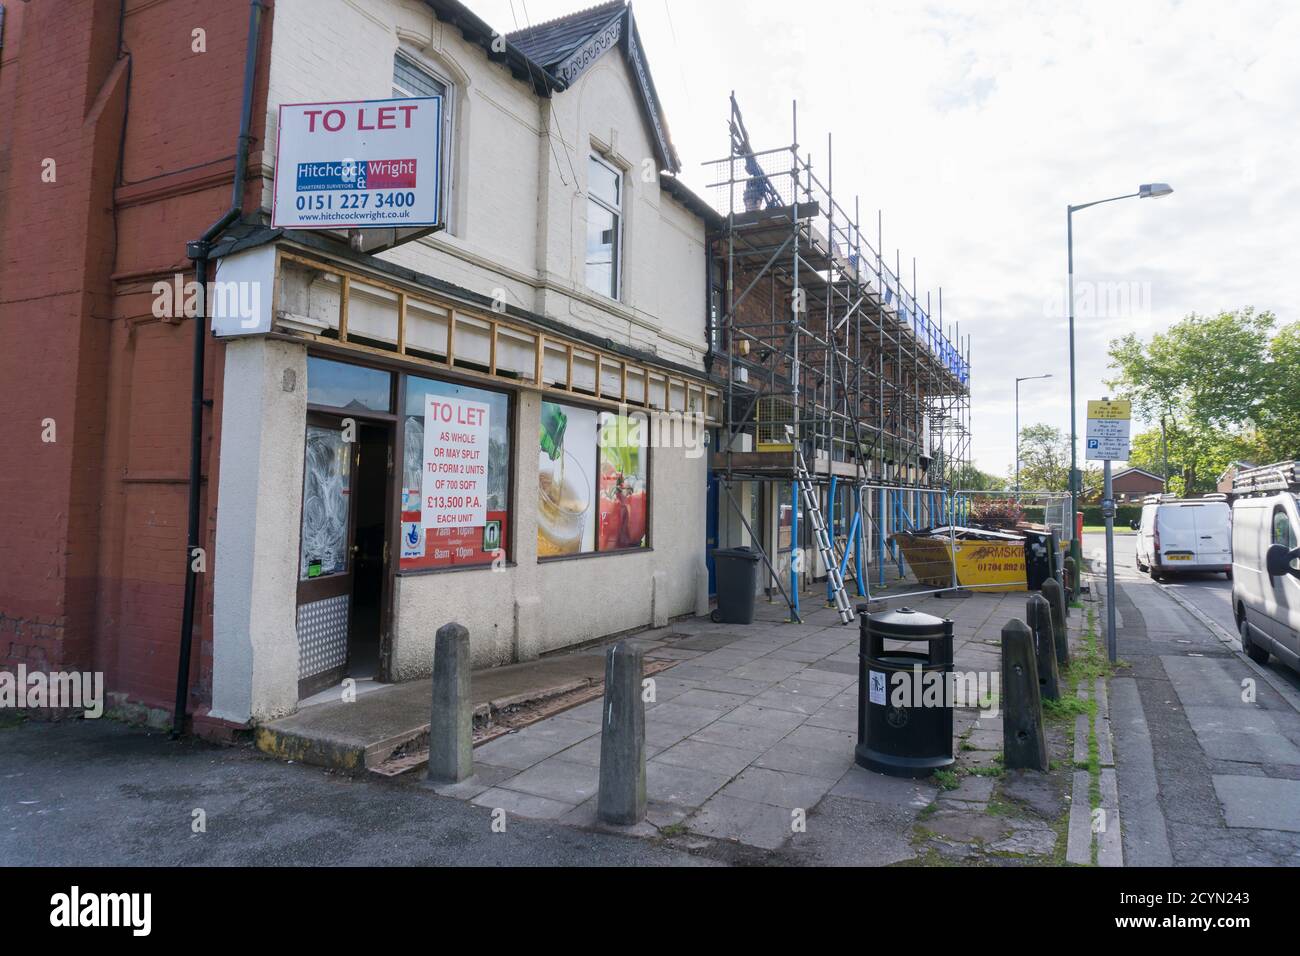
[1267, 561]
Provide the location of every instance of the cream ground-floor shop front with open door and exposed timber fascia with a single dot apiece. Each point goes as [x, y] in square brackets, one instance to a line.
[395, 458]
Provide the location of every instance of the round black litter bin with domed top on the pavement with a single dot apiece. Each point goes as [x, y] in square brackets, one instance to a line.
[905, 728]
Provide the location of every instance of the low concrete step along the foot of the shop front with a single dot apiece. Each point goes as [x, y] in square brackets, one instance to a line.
[393, 720]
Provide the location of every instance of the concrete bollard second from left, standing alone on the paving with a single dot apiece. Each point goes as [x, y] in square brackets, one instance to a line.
[622, 799]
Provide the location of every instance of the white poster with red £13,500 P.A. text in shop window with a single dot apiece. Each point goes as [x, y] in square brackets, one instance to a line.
[454, 479]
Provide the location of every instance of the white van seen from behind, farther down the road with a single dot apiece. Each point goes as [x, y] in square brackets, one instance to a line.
[1185, 535]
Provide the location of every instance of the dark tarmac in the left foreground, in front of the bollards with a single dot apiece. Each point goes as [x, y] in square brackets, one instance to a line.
[97, 793]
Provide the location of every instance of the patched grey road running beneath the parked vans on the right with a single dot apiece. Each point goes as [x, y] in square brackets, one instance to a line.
[1207, 743]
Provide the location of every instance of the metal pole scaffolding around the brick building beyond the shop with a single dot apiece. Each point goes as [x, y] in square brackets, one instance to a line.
[822, 348]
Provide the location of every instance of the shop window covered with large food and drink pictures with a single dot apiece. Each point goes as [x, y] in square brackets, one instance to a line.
[592, 482]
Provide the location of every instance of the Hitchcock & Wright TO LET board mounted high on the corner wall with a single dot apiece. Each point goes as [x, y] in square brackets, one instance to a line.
[362, 165]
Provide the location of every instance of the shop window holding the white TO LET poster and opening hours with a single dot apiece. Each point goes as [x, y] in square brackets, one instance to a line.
[456, 471]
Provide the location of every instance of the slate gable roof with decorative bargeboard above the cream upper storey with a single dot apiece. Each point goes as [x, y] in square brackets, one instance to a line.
[569, 46]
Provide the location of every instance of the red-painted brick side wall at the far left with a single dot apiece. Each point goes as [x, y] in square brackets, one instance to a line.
[92, 574]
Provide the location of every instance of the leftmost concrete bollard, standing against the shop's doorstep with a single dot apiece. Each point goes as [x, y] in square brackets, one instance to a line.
[452, 733]
